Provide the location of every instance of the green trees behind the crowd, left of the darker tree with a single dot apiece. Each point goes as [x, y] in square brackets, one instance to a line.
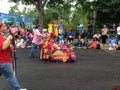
[82, 9]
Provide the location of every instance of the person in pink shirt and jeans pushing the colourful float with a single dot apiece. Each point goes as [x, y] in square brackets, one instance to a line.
[37, 38]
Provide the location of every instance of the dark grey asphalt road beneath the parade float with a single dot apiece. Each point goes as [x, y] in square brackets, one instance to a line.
[93, 70]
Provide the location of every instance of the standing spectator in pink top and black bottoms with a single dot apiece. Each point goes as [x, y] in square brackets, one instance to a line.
[104, 36]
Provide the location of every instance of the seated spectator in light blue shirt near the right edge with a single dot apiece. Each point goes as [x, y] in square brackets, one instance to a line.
[112, 43]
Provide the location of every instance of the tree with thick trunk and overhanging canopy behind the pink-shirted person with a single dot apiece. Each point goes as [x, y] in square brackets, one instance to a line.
[41, 4]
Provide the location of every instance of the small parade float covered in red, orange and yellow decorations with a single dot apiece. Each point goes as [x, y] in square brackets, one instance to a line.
[52, 51]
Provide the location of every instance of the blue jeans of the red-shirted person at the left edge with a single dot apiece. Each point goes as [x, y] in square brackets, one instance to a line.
[7, 70]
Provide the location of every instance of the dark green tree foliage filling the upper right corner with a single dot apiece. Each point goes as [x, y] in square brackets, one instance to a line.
[107, 11]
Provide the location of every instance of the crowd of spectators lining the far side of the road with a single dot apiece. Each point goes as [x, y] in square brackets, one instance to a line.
[104, 39]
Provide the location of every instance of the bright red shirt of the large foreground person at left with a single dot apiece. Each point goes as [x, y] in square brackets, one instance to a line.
[4, 54]
